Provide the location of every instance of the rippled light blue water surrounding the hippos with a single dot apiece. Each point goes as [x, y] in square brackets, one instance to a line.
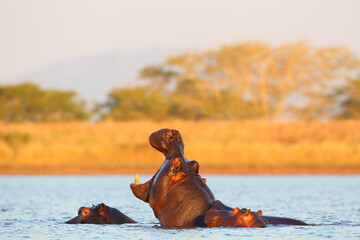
[36, 207]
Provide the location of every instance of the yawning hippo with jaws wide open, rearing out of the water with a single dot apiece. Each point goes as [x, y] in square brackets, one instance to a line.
[177, 193]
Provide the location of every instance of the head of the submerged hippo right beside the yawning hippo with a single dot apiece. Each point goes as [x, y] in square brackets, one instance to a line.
[234, 218]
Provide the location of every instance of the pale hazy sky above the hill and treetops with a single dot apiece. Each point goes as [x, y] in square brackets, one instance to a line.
[37, 33]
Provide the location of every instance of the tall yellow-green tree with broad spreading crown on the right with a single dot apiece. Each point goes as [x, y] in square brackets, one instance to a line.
[261, 81]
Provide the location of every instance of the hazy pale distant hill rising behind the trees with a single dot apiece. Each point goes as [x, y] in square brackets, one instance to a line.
[93, 77]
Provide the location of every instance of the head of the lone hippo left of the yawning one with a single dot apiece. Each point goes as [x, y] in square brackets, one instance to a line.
[96, 215]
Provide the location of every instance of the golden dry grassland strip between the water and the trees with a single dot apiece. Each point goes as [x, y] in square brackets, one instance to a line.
[219, 147]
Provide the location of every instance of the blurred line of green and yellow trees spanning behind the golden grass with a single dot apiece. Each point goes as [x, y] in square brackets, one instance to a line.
[242, 81]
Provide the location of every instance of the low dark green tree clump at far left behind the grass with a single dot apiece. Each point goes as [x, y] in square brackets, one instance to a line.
[27, 102]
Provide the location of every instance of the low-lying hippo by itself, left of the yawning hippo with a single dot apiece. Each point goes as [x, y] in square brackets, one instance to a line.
[100, 214]
